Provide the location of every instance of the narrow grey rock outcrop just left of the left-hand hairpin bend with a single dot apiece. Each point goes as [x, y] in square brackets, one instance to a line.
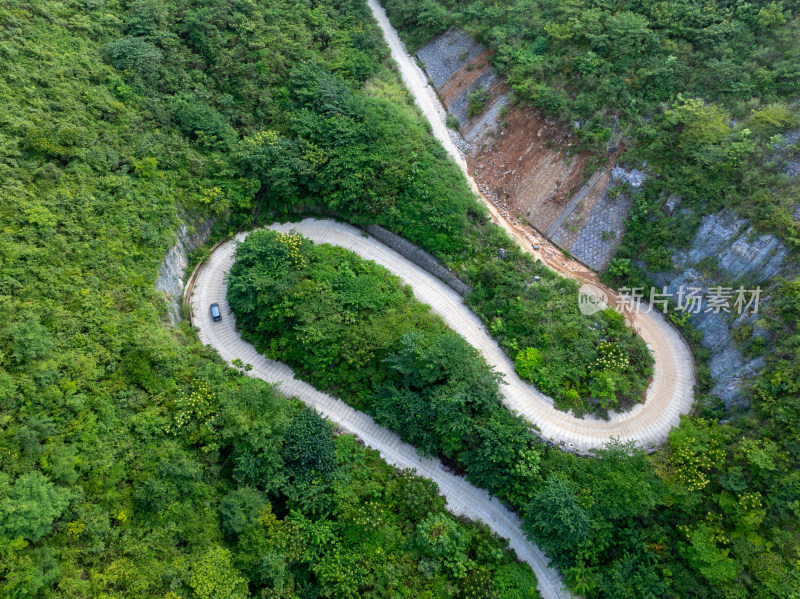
[172, 272]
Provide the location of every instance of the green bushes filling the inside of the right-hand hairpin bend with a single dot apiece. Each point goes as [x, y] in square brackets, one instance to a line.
[542, 318]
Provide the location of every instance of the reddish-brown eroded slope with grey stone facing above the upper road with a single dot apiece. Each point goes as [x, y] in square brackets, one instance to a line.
[528, 166]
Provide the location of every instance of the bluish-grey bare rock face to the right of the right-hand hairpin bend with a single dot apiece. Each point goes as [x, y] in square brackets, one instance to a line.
[727, 251]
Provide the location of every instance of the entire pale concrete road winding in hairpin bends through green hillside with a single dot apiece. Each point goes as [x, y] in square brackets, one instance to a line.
[669, 394]
